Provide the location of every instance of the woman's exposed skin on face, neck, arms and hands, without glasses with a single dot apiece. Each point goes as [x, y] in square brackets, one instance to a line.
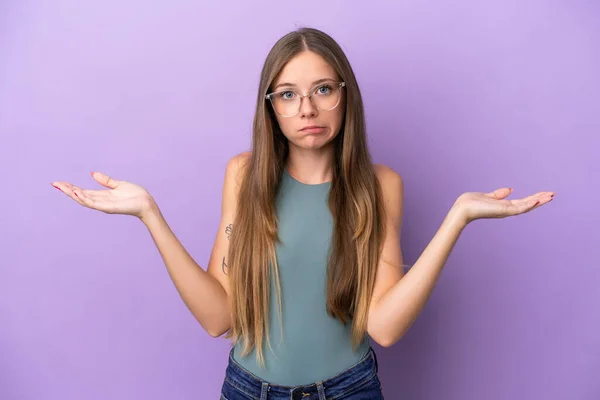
[397, 299]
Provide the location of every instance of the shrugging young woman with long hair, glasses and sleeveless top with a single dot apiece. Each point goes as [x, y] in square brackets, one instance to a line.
[306, 268]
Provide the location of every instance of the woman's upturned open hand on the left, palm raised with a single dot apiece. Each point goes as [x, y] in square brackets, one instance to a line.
[121, 198]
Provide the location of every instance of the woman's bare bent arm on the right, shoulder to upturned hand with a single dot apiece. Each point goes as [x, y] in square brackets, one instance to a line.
[397, 300]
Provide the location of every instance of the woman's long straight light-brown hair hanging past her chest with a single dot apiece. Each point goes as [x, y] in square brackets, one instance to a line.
[355, 202]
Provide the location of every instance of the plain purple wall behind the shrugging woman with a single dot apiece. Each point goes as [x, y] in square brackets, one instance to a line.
[460, 96]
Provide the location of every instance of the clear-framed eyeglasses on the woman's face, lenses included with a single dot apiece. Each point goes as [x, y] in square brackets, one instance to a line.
[324, 96]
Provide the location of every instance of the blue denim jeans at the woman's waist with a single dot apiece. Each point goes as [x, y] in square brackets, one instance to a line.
[357, 382]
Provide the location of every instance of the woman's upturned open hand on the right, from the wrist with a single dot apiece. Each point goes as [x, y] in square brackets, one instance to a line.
[474, 205]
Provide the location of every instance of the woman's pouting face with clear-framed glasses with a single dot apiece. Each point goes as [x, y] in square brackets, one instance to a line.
[309, 73]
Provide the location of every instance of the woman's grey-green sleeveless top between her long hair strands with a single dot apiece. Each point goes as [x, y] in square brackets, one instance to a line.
[314, 345]
